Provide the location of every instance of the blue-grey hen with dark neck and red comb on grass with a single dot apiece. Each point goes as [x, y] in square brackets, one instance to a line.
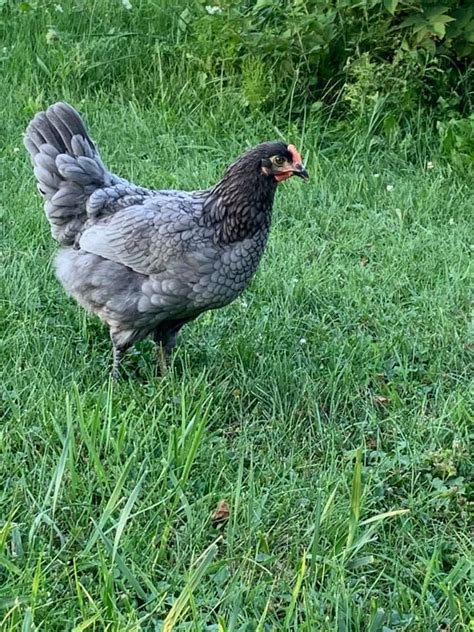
[146, 262]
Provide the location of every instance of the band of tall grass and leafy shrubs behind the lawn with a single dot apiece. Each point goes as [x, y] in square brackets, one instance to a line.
[282, 56]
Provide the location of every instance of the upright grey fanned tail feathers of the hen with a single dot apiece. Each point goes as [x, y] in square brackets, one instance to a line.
[67, 166]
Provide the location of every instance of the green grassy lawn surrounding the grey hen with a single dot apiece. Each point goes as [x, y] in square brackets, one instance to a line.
[331, 406]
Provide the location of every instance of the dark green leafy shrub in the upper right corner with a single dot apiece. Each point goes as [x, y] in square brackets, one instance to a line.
[316, 49]
